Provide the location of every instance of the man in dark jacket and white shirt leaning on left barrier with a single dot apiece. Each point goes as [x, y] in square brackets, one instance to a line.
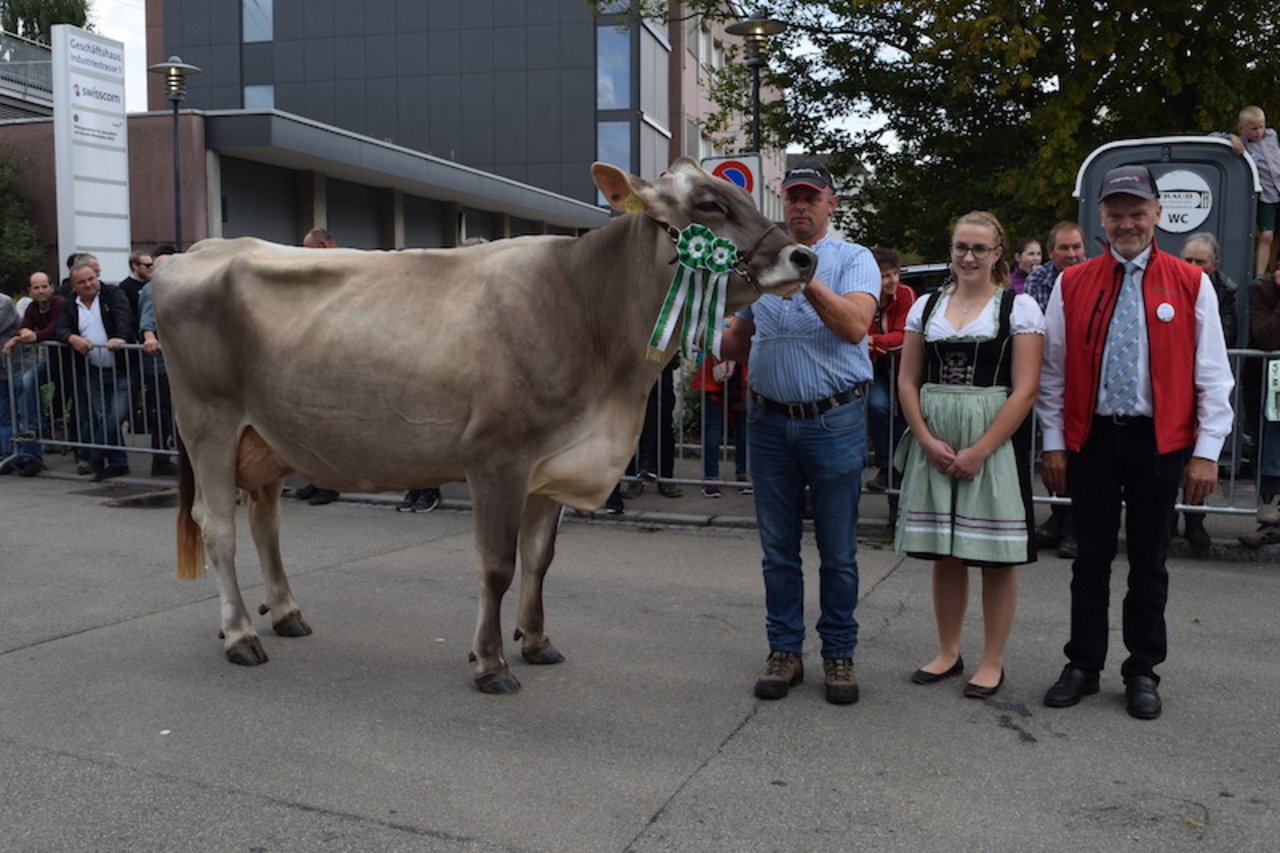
[97, 326]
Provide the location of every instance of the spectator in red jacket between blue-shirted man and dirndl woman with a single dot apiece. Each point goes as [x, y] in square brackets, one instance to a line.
[885, 422]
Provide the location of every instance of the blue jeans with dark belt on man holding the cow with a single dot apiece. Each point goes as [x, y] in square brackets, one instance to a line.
[828, 454]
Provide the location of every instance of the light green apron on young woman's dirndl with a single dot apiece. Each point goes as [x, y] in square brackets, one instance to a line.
[979, 521]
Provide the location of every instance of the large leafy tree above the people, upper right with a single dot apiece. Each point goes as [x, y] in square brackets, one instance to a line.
[995, 103]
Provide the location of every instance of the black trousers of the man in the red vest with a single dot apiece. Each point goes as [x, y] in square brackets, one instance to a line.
[1119, 463]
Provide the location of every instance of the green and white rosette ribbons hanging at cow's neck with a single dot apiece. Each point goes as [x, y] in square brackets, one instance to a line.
[697, 293]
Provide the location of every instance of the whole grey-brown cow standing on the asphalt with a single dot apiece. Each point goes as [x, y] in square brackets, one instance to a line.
[518, 366]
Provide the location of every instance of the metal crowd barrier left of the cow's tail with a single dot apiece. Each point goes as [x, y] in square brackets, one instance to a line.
[58, 400]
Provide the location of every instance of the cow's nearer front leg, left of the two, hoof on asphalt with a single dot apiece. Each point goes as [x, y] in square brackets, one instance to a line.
[497, 518]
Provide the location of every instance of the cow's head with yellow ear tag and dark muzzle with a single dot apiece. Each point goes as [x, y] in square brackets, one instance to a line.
[687, 194]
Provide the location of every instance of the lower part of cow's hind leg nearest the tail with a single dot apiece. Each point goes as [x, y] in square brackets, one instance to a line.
[217, 521]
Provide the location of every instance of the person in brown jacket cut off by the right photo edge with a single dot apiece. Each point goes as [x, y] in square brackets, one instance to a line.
[1261, 381]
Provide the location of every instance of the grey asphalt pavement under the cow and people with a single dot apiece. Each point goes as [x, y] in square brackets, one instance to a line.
[124, 728]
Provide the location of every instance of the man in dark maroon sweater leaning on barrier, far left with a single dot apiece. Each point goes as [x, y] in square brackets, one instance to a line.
[42, 368]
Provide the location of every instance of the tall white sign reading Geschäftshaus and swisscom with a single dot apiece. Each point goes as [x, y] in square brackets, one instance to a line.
[92, 149]
